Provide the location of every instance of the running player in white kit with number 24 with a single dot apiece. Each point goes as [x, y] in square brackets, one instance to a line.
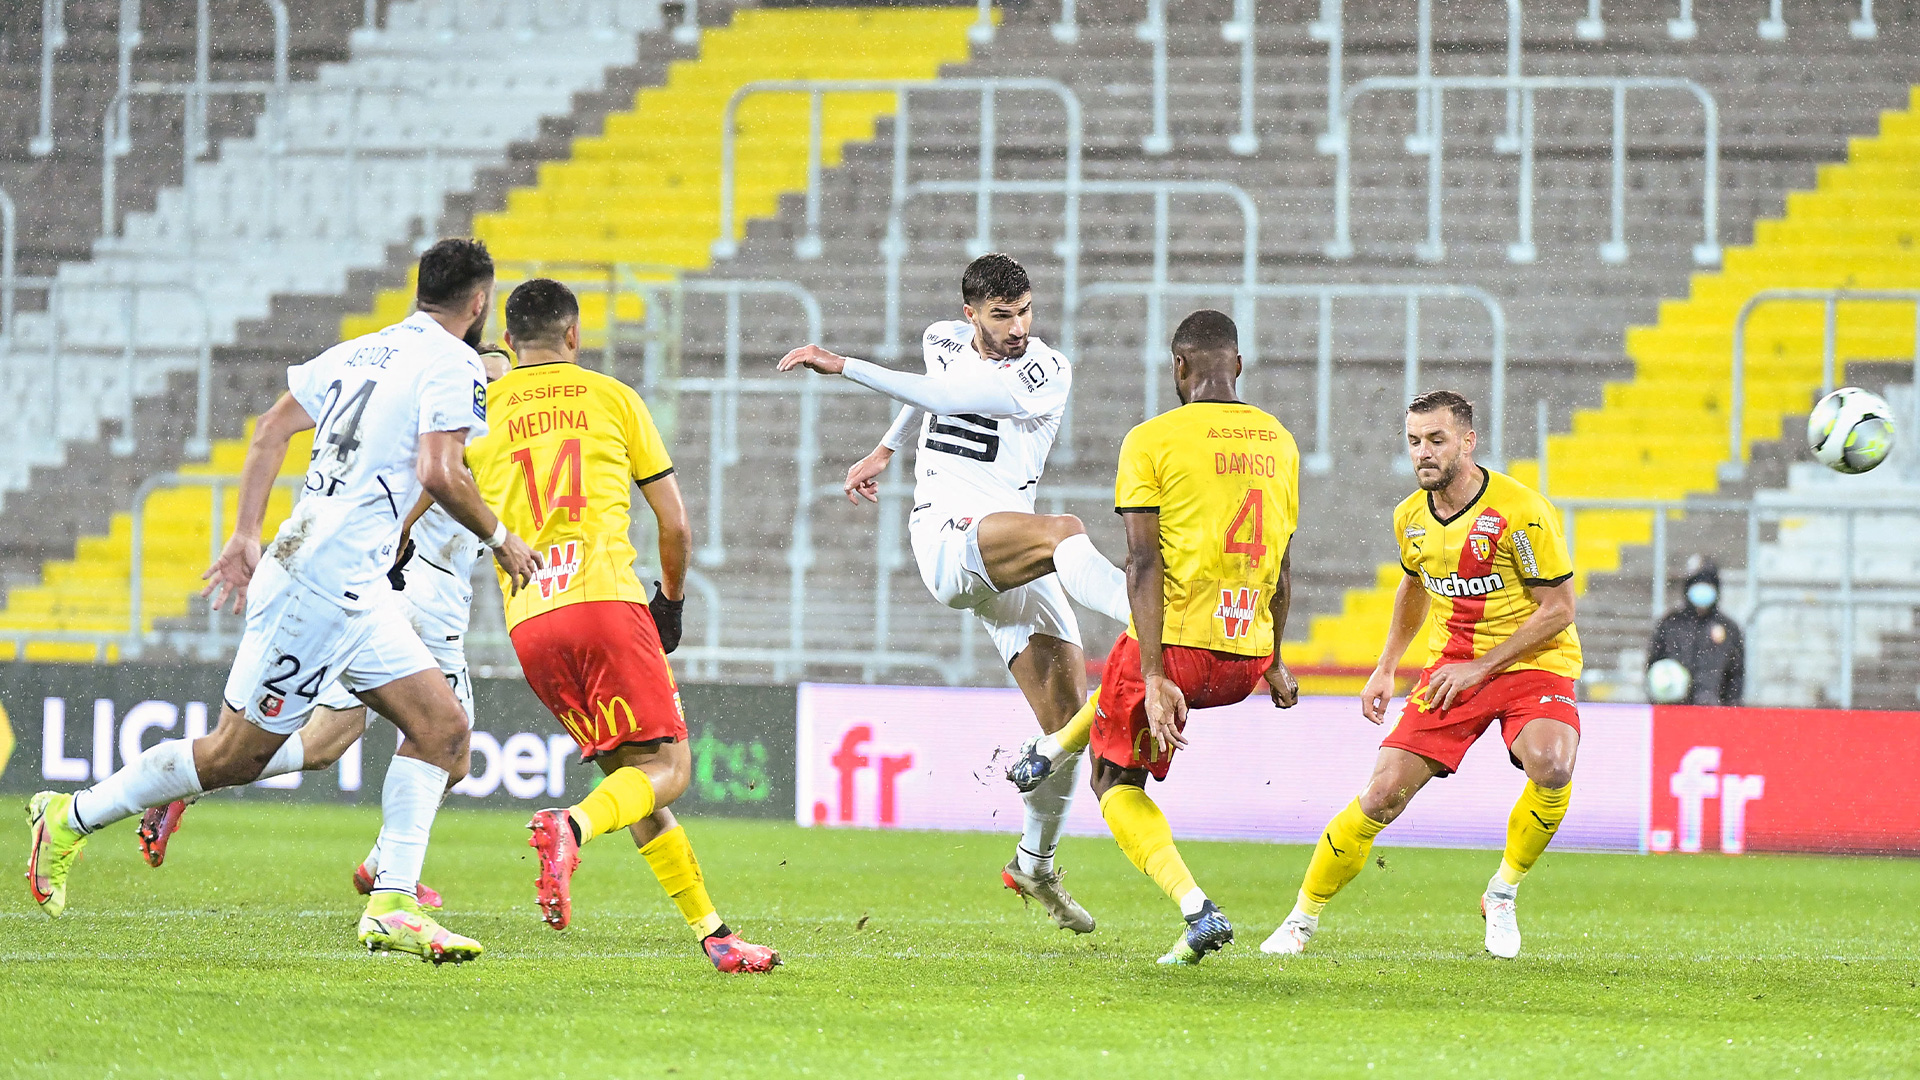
[391, 418]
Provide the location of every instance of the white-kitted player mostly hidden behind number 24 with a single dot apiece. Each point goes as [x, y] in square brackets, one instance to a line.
[433, 589]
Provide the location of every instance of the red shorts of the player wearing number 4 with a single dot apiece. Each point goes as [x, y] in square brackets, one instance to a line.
[1209, 679]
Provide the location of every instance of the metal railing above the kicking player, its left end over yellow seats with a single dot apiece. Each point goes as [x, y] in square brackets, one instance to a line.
[809, 245]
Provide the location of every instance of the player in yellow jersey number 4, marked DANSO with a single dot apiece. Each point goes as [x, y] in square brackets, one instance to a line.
[1211, 495]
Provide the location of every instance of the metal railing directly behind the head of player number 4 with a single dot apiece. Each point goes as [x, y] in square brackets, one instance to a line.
[1245, 297]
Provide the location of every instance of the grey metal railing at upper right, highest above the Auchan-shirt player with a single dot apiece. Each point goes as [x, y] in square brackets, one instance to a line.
[1435, 87]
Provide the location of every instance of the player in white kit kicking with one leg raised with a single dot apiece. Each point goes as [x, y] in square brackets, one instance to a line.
[984, 418]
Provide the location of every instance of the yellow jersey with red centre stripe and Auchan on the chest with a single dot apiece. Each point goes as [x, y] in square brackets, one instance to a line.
[1479, 570]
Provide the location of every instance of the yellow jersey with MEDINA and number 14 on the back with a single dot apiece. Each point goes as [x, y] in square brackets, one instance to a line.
[560, 462]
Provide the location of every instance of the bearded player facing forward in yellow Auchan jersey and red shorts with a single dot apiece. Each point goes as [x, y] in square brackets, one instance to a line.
[1491, 577]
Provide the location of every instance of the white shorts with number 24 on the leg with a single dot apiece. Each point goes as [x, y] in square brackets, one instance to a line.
[297, 643]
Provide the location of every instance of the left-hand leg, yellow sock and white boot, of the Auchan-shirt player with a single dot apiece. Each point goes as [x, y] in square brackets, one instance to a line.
[1343, 848]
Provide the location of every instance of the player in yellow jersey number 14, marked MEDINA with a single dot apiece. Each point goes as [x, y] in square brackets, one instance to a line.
[562, 462]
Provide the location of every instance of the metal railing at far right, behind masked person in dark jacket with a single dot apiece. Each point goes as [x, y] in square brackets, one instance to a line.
[1760, 595]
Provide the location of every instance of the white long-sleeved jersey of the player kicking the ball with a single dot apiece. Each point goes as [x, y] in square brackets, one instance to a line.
[969, 460]
